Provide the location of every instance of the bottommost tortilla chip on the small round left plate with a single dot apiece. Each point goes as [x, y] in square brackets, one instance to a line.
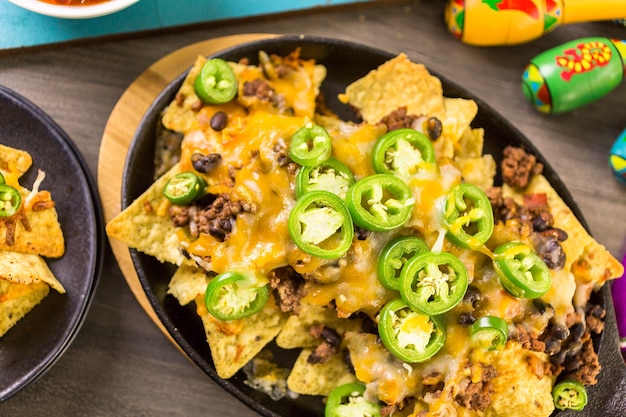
[16, 300]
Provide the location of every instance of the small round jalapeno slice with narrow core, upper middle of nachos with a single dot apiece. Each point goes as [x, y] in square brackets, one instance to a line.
[310, 145]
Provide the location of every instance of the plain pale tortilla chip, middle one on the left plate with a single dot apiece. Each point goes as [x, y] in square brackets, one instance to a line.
[23, 268]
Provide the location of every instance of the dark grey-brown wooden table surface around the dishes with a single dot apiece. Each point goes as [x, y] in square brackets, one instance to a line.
[120, 364]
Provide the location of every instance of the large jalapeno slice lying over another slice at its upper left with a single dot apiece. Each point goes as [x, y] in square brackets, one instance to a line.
[433, 282]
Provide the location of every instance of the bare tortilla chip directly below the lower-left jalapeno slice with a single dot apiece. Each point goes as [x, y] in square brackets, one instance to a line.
[235, 343]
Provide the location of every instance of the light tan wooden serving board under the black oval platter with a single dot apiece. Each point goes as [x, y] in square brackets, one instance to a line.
[119, 132]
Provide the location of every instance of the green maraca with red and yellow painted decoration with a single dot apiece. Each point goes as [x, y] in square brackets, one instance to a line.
[574, 74]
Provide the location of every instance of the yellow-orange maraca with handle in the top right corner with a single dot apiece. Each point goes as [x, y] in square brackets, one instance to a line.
[510, 22]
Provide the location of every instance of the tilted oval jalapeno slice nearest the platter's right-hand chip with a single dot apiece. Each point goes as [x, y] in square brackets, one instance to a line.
[521, 271]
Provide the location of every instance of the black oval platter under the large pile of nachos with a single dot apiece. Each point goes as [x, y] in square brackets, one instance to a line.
[345, 62]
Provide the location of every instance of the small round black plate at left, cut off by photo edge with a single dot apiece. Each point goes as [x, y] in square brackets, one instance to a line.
[33, 345]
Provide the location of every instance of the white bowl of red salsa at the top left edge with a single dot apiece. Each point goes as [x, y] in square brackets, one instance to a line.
[74, 9]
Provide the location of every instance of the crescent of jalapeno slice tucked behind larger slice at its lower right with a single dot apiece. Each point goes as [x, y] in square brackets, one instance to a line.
[394, 256]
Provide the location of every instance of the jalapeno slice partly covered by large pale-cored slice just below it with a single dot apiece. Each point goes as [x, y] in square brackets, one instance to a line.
[331, 175]
